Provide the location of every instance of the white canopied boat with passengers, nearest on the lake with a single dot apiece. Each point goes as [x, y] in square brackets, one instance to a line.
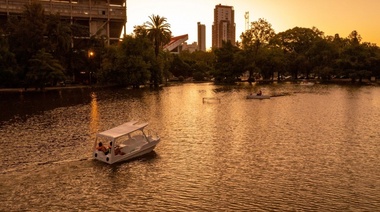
[124, 142]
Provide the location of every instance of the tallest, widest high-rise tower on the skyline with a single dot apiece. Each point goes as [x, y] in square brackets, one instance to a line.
[224, 27]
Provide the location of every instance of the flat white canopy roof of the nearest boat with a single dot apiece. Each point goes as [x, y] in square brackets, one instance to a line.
[121, 130]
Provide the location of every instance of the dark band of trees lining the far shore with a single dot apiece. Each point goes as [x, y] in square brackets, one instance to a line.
[39, 50]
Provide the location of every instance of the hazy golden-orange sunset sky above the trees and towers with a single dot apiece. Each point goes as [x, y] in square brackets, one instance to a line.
[329, 16]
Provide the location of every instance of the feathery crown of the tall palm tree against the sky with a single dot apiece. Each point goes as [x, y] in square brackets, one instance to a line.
[158, 32]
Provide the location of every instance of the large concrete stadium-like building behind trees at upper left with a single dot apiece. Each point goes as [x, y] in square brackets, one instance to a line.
[102, 17]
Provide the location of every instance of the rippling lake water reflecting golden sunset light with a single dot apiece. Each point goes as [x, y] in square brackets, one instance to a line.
[312, 148]
